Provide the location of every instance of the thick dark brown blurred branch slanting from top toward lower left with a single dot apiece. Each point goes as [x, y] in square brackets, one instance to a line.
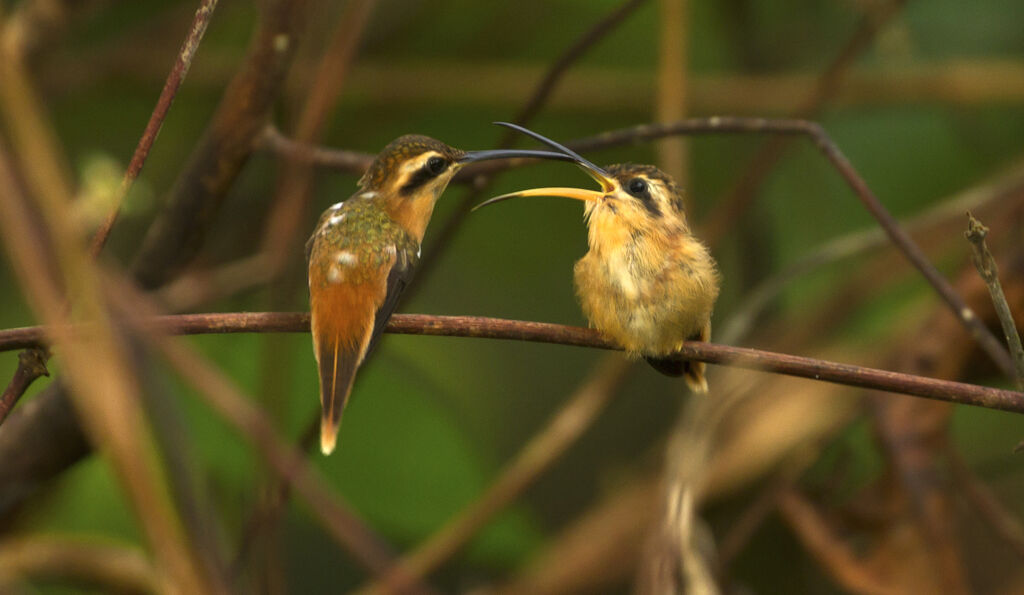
[174, 239]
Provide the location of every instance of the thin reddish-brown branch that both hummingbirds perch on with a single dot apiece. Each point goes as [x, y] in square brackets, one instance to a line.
[486, 328]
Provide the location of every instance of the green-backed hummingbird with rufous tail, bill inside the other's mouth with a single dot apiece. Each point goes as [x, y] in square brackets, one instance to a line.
[363, 253]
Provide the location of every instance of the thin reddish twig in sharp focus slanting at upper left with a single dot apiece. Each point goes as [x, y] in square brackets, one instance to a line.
[172, 86]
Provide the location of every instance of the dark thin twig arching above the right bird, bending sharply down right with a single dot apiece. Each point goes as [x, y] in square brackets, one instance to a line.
[832, 152]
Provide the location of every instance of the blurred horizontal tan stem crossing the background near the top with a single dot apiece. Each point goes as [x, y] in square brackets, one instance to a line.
[595, 90]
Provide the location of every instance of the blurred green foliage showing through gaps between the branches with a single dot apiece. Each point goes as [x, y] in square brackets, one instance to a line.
[434, 420]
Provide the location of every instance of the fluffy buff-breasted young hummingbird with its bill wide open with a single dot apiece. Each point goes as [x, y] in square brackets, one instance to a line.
[647, 283]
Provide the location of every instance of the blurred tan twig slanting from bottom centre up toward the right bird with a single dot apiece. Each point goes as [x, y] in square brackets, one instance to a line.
[536, 457]
